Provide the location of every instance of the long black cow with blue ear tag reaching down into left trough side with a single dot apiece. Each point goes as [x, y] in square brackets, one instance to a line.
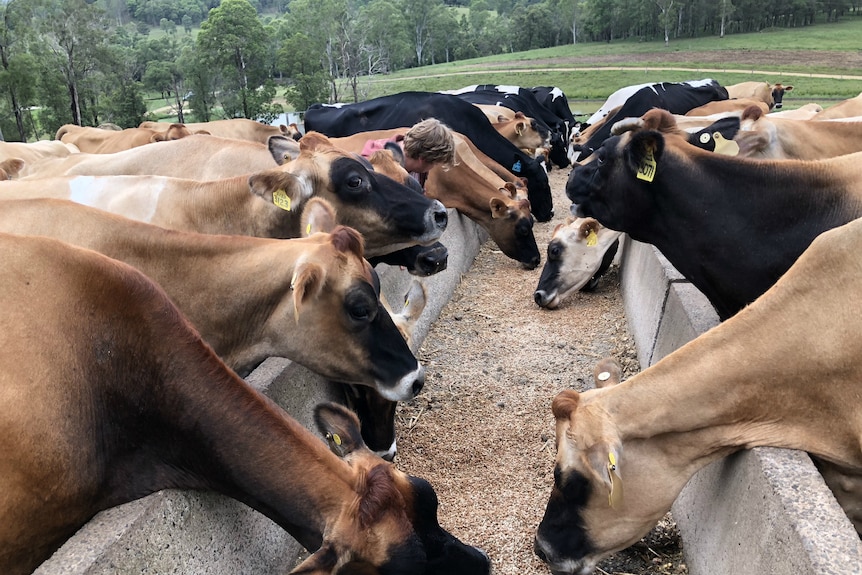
[408, 108]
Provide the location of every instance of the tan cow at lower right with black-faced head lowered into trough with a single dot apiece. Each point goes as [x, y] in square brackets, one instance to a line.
[784, 372]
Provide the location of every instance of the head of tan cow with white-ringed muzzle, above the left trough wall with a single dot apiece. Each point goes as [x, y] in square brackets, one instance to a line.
[335, 302]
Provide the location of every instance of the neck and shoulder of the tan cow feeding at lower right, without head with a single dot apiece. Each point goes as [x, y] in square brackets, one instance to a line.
[774, 374]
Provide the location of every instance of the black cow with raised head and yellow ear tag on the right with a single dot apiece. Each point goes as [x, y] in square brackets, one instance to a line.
[745, 226]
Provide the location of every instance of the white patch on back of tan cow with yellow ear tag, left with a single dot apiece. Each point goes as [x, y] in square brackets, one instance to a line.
[105, 194]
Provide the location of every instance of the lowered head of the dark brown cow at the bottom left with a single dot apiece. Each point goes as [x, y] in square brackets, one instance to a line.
[392, 525]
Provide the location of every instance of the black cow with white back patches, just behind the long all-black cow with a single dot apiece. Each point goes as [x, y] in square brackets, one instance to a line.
[522, 100]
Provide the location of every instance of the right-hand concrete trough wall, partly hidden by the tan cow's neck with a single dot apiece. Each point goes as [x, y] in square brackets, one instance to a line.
[764, 511]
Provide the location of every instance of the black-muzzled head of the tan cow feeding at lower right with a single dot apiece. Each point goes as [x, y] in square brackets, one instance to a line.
[607, 494]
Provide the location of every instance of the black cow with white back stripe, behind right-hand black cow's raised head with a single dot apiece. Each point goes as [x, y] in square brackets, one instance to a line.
[635, 101]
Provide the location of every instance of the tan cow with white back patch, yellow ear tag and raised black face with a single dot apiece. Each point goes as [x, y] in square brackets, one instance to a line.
[389, 215]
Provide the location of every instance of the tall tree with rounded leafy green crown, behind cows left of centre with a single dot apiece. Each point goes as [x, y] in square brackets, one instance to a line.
[234, 39]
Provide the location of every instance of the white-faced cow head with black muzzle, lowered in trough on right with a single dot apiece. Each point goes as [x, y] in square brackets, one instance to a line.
[579, 253]
